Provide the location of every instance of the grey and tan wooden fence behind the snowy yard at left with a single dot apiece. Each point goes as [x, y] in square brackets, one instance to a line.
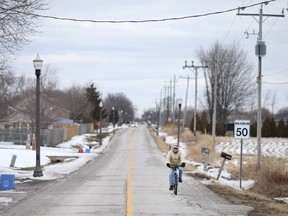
[48, 137]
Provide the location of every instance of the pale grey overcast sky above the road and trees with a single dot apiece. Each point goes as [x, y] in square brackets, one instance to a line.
[139, 59]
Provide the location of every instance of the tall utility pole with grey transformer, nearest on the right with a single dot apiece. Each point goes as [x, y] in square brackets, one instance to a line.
[260, 51]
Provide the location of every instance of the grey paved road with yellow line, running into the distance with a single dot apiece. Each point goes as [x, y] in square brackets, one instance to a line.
[129, 178]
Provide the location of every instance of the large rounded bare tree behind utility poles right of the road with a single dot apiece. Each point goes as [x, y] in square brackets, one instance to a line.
[234, 84]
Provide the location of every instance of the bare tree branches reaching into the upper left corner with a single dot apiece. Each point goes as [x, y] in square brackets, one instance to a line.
[16, 24]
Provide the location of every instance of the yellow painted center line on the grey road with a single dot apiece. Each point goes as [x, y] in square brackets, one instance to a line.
[129, 206]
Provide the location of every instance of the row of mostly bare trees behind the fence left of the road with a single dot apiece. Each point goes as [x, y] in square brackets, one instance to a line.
[81, 103]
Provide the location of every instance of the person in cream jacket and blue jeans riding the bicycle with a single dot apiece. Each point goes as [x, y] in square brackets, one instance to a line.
[175, 157]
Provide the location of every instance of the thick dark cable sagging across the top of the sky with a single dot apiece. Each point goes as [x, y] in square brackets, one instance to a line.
[147, 20]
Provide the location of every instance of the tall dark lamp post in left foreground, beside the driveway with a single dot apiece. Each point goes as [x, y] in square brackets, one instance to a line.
[38, 65]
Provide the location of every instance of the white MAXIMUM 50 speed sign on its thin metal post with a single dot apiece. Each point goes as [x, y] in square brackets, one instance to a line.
[241, 131]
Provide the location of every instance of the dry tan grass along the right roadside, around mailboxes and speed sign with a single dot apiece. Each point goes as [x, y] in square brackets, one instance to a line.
[271, 178]
